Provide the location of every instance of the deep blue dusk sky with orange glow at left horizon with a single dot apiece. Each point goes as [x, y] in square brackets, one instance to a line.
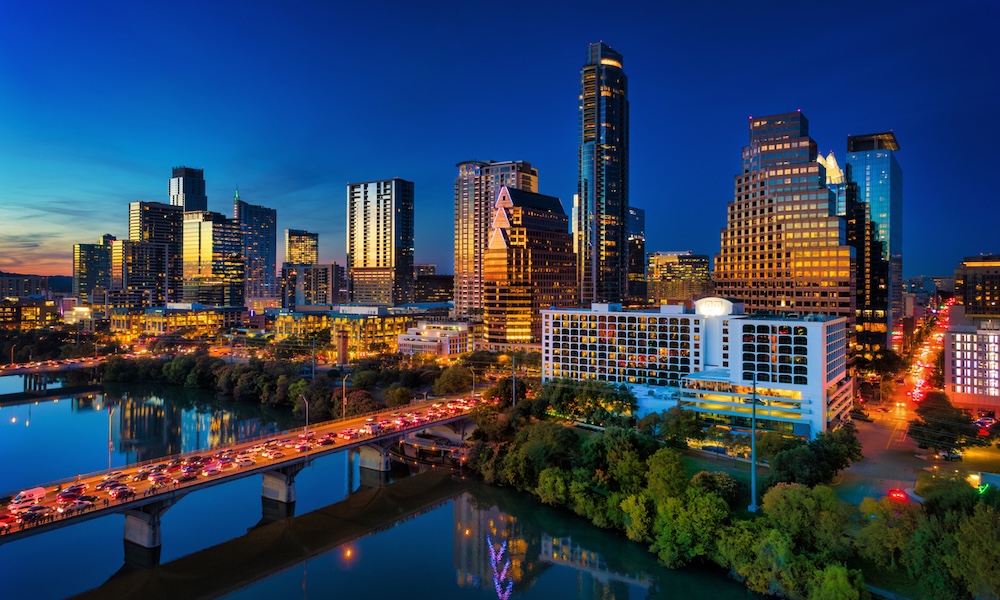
[292, 101]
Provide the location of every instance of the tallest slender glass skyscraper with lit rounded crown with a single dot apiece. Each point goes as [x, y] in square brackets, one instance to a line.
[600, 226]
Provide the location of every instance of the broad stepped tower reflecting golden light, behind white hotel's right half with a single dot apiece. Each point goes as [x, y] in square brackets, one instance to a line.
[784, 249]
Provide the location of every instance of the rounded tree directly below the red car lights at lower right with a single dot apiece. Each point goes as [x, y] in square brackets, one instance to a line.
[888, 525]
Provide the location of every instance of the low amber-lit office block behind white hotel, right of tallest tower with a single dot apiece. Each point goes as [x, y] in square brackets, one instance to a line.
[678, 277]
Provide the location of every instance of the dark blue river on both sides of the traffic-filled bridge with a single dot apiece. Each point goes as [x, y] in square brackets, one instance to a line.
[433, 535]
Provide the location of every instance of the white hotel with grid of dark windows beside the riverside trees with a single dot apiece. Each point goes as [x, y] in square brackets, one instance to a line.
[711, 360]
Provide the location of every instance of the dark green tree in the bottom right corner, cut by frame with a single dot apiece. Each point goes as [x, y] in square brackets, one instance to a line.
[978, 552]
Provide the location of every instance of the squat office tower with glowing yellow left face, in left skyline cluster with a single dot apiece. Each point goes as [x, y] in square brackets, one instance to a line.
[213, 259]
